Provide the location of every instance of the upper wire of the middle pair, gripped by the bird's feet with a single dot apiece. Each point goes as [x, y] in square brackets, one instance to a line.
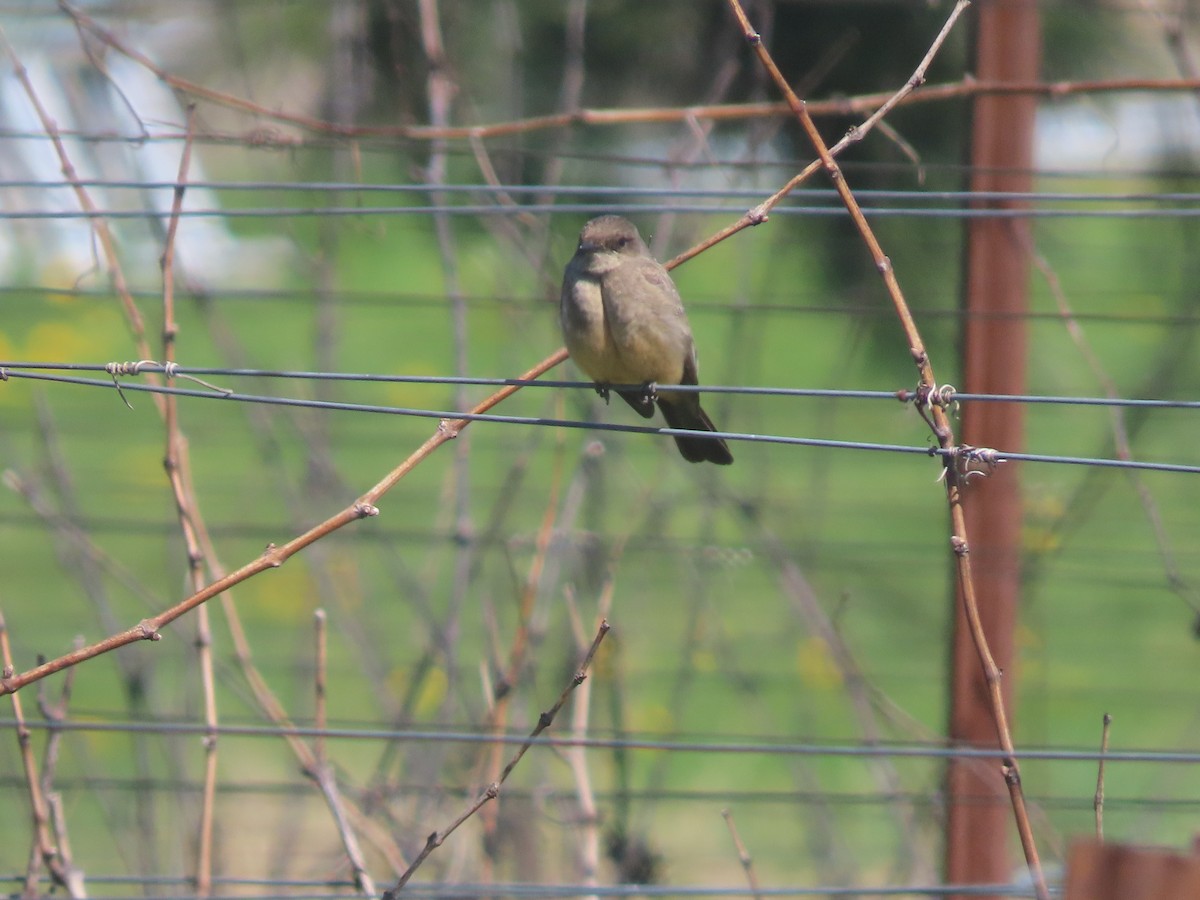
[461, 381]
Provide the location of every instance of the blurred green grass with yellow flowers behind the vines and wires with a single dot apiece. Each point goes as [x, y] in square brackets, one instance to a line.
[706, 644]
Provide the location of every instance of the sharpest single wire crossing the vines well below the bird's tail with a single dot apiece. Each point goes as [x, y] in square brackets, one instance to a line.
[761, 748]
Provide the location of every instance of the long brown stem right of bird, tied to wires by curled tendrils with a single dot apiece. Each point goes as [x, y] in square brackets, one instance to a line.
[943, 431]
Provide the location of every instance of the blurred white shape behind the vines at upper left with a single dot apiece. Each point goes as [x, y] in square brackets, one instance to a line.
[104, 119]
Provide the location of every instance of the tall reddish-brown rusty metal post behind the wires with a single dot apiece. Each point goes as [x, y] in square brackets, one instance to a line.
[980, 825]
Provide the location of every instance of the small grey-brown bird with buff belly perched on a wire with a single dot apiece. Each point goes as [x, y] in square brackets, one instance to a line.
[623, 323]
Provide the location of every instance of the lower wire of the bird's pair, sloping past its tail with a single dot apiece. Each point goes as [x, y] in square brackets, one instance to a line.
[749, 437]
